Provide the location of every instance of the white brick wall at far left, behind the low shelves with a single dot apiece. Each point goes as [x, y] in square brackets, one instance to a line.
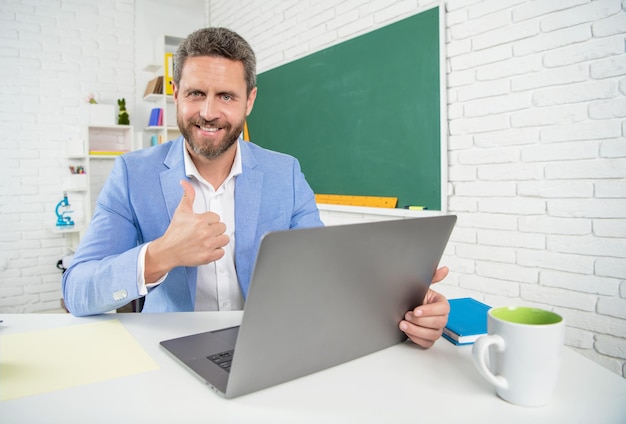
[53, 55]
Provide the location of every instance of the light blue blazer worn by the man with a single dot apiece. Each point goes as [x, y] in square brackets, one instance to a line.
[136, 206]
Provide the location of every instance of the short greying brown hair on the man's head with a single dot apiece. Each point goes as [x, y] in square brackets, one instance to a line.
[219, 42]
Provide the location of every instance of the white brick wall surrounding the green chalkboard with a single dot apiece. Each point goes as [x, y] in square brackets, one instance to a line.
[536, 149]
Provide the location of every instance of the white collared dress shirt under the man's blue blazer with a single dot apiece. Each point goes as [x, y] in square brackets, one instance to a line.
[217, 287]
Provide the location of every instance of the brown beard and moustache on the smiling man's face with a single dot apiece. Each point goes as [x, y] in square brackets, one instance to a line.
[203, 148]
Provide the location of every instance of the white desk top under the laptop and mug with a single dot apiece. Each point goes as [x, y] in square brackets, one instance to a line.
[403, 382]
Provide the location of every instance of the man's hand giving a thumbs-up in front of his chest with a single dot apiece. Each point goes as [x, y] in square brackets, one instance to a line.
[190, 240]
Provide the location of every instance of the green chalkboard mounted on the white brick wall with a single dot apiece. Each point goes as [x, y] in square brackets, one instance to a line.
[362, 117]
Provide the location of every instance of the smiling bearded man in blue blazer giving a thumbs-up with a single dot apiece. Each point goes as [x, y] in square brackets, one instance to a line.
[180, 224]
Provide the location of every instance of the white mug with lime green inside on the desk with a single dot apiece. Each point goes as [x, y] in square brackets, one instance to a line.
[525, 346]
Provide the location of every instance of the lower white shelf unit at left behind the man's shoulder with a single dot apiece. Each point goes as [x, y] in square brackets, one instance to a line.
[94, 154]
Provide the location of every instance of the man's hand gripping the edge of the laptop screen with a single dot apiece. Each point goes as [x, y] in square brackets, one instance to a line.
[424, 324]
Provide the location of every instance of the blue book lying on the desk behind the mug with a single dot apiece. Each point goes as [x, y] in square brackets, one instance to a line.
[467, 321]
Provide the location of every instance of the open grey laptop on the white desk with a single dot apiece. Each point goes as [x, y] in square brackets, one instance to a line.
[319, 297]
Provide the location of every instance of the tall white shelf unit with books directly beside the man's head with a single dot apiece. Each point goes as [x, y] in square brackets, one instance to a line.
[169, 130]
